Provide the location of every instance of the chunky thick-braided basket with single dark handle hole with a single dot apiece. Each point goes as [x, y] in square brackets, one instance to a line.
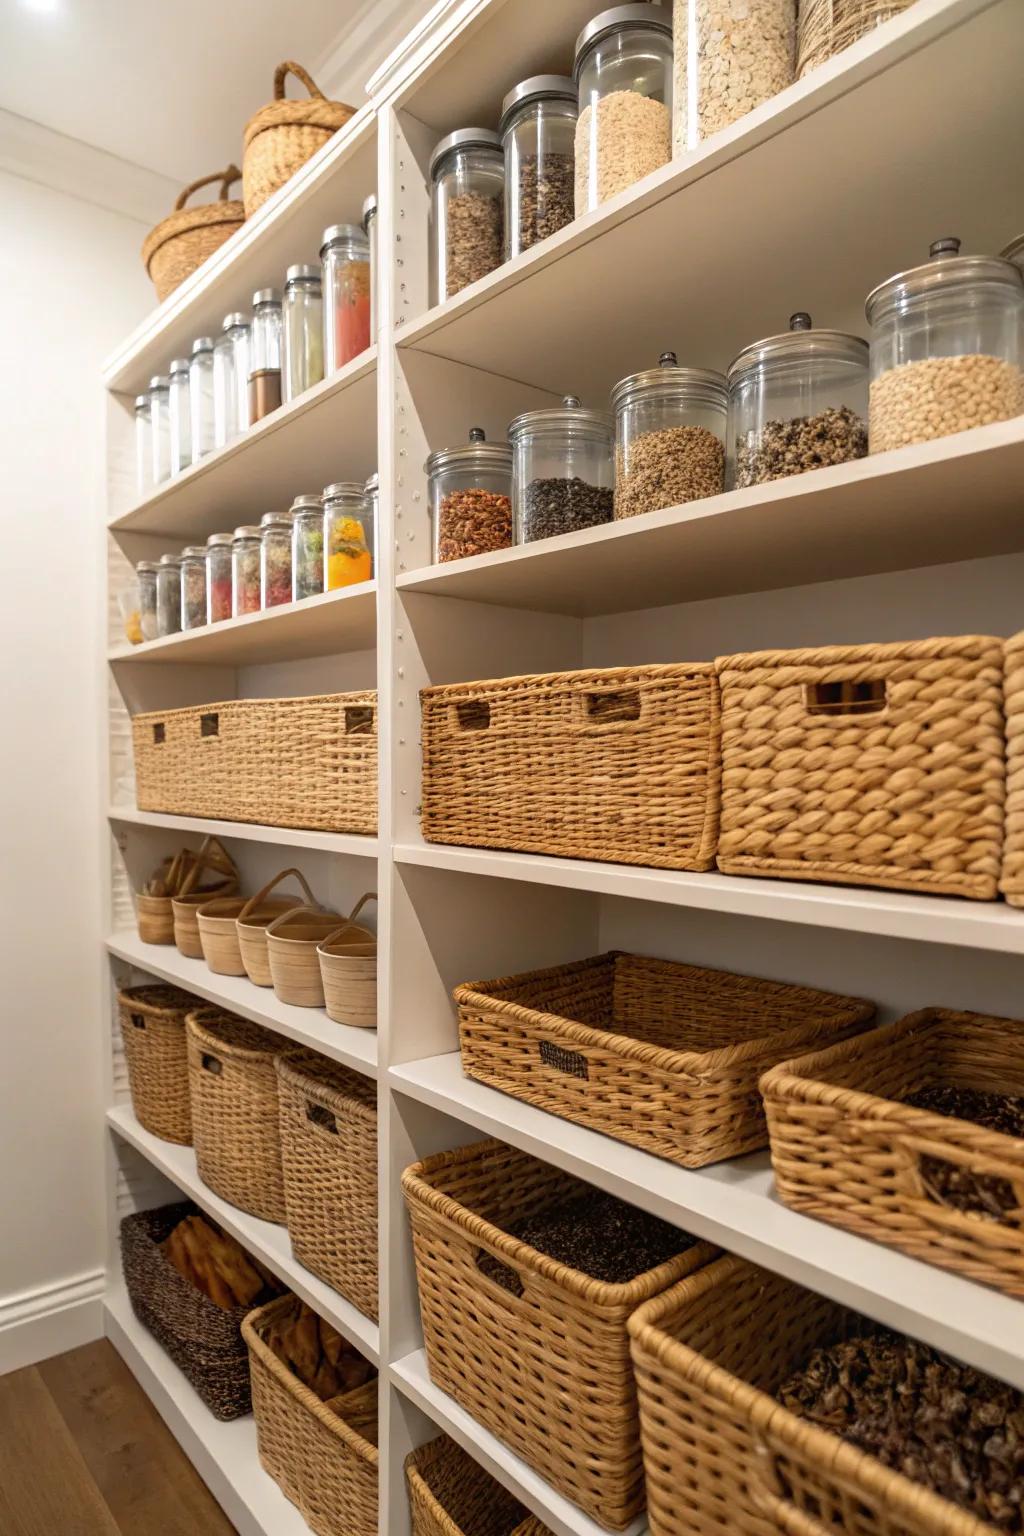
[867, 766]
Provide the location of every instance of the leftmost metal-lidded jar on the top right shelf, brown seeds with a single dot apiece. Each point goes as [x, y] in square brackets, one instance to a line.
[467, 210]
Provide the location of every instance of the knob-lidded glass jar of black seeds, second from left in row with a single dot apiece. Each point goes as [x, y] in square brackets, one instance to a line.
[563, 471]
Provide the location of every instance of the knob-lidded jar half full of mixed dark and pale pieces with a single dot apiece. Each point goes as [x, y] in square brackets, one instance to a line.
[798, 402]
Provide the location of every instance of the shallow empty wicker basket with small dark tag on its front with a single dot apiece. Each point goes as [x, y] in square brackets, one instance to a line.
[658, 1054]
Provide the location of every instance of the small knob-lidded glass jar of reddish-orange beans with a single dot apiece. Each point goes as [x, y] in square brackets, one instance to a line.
[471, 498]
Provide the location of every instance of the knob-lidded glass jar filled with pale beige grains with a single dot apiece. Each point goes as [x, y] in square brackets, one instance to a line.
[946, 348]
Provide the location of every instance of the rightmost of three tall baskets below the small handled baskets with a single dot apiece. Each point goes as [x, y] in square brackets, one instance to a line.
[331, 1182]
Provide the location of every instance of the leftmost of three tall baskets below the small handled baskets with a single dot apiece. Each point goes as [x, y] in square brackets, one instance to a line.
[157, 1056]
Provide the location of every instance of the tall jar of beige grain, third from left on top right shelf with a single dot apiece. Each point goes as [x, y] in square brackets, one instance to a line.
[624, 71]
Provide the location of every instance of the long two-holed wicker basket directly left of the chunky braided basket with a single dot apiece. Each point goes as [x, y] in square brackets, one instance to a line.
[621, 766]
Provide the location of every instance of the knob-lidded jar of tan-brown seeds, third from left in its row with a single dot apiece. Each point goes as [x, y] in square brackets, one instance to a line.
[670, 437]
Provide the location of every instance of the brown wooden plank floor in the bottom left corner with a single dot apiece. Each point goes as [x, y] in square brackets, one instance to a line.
[85, 1454]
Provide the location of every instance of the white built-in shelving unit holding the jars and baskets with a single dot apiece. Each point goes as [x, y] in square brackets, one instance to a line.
[807, 204]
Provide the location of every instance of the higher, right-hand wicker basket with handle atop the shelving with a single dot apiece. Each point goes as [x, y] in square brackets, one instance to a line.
[283, 136]
